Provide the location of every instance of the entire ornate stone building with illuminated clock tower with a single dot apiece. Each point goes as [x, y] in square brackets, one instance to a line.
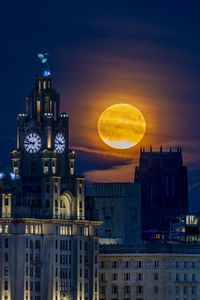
[48, 249]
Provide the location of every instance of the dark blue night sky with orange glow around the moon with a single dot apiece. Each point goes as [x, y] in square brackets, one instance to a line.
[144, 53]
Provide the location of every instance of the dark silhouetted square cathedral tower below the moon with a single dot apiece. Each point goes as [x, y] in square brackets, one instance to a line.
[164, 189]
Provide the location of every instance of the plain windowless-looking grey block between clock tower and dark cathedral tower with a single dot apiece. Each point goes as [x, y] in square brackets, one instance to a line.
[119, 208]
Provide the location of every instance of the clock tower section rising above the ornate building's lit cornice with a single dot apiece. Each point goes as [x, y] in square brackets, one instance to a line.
[43, 159]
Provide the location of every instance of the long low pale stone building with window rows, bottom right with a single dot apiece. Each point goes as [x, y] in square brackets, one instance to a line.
[149, 272]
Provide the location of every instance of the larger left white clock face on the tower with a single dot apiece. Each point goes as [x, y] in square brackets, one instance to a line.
[32, 143]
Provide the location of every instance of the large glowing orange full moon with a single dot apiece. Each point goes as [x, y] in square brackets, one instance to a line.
[121, 126]
